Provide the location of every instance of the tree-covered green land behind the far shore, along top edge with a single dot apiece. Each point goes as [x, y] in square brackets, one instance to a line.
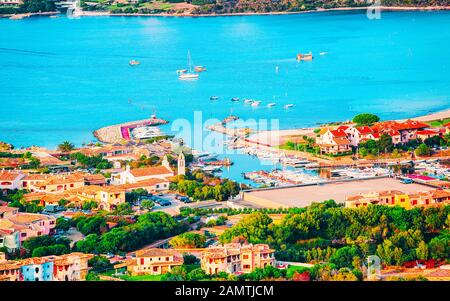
[197, 7]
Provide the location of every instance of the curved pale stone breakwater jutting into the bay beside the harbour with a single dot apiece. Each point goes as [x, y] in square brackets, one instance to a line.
[121, 132]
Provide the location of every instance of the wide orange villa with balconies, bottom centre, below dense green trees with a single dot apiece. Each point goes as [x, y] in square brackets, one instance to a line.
[234, 258]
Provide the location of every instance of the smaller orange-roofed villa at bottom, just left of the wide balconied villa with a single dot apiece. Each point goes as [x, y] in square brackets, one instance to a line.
[154, 262]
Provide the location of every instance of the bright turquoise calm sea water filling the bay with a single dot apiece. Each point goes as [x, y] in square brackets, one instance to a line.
[63, 78]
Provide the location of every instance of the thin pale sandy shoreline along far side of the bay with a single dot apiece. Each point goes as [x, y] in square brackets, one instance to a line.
[337, 9]
